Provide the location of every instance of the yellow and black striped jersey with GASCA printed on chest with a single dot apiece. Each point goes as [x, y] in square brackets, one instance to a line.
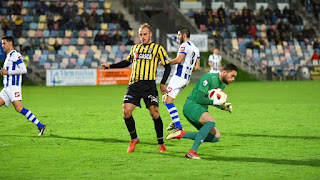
[145, 58]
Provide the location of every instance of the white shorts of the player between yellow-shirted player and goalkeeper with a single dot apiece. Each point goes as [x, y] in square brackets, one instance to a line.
[176, 85]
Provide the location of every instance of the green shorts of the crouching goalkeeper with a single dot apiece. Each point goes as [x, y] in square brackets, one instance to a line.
[193, 111]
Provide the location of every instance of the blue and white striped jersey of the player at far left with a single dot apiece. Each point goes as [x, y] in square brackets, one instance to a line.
[15, 67]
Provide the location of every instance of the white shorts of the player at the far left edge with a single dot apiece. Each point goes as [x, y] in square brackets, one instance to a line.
[10, 94]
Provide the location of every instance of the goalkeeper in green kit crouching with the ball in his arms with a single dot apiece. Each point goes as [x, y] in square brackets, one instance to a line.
[195, 108]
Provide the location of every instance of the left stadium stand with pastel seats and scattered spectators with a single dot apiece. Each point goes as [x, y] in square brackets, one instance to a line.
[72, 34]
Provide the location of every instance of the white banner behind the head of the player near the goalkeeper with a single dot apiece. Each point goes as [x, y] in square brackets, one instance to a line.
[200, 40]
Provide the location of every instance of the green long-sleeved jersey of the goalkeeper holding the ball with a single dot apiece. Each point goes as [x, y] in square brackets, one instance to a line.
[204, 84]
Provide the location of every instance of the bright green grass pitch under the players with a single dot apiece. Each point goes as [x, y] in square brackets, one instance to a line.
[272, 133]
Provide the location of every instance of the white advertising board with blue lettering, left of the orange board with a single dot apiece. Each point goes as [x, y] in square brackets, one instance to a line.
[71, 77]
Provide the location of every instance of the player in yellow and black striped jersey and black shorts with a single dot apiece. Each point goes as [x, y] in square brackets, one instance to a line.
[144, 58]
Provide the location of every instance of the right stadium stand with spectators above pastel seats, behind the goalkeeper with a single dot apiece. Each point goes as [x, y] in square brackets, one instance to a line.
[267, 37]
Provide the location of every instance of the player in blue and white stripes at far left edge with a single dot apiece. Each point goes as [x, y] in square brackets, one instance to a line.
[12, 71]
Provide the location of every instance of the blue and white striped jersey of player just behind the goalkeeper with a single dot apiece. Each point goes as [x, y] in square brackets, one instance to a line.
[185, 68]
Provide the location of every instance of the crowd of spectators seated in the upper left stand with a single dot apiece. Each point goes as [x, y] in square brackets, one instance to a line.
[68, 18]
